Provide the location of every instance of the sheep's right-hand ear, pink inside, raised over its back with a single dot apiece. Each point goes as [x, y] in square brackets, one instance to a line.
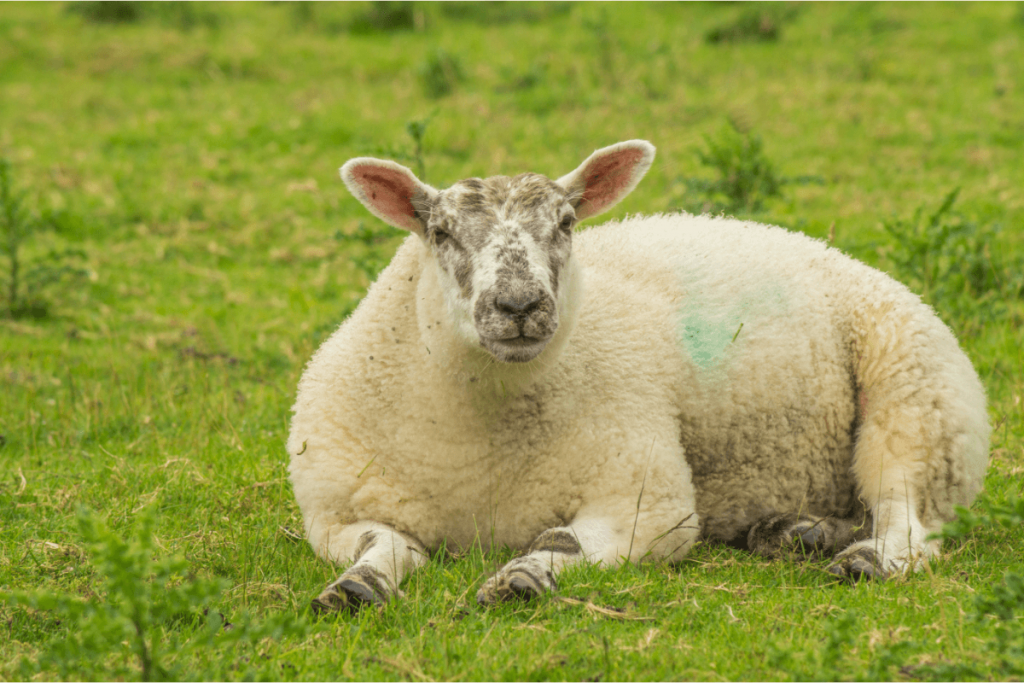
[608, 177]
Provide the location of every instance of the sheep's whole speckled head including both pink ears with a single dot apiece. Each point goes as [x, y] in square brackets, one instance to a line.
[501, 244]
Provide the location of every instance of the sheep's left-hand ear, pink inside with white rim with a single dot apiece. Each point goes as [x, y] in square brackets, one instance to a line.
[391, 191]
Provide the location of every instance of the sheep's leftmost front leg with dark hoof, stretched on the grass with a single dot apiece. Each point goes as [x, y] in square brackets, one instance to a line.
[381, 559]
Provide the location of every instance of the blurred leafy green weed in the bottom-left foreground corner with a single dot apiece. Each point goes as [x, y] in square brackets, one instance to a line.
[143, 614]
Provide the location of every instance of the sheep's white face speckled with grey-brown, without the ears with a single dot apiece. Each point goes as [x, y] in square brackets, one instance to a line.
[501, 245]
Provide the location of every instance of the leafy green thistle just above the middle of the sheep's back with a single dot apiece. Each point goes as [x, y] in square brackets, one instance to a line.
[745, 176]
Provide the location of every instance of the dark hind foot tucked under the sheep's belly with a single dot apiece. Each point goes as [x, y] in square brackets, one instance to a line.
[796, 536]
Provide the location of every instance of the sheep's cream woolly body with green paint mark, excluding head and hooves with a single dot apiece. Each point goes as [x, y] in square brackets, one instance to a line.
[727, 370]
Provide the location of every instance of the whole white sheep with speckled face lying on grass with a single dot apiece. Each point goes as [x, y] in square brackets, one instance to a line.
[614, 396]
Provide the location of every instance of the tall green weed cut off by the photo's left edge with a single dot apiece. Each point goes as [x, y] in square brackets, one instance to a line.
[28, 281]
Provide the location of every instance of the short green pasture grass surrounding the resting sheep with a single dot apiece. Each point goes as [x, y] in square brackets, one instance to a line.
[192, 154]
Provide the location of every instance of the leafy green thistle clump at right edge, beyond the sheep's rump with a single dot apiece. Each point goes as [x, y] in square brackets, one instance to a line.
[956, 265]
